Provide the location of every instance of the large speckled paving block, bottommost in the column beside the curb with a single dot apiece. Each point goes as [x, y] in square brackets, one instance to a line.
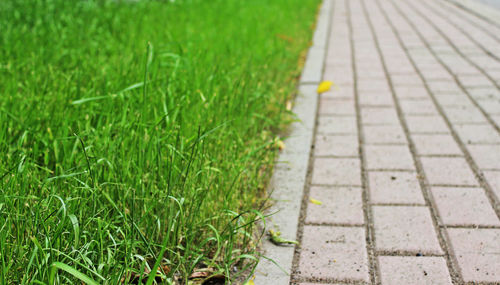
[334, 253]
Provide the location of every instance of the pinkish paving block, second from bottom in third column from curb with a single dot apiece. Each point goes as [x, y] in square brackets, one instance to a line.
[475, 208]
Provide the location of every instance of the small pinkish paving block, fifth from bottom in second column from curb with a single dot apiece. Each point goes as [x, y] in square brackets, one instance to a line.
[384, 134]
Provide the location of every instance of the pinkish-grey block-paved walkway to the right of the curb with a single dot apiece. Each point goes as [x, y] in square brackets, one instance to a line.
[406, 158]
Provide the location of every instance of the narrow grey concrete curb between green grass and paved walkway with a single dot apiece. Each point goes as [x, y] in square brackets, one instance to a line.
[287, 184]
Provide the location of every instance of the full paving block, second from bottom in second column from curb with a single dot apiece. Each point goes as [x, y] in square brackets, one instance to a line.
[404, 229]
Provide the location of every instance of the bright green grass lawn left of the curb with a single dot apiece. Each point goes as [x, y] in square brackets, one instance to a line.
[140, 134]
